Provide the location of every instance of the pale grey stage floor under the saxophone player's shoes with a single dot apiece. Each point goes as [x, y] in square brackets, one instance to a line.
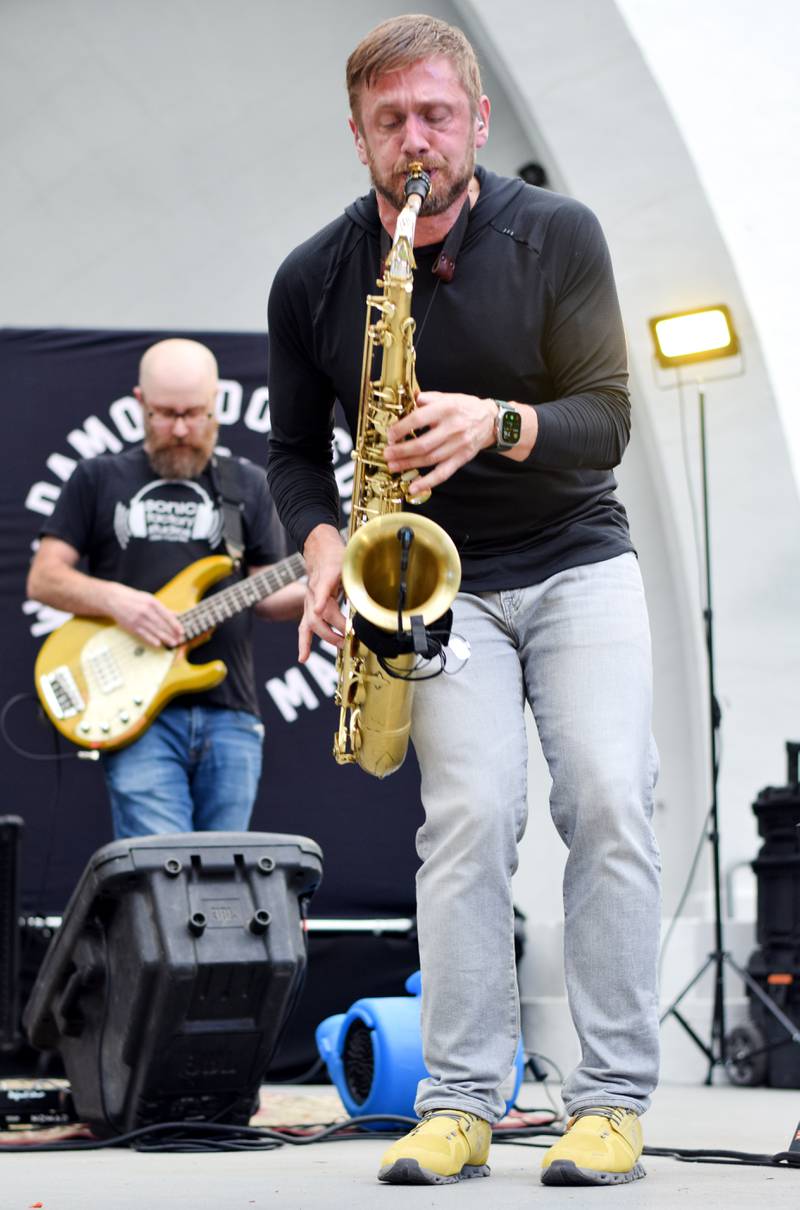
[329, 1177]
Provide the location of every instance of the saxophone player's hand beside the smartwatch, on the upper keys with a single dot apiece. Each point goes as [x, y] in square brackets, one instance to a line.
[458, 427]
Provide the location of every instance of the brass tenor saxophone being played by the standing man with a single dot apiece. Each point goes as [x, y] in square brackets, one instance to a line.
[390, 579]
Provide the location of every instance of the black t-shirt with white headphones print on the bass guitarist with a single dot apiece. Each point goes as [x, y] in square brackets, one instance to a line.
[141, 531]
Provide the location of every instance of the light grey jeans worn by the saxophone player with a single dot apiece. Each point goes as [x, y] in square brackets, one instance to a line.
[578, 649]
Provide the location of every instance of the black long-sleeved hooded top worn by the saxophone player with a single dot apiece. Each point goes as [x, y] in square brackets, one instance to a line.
[532, 315]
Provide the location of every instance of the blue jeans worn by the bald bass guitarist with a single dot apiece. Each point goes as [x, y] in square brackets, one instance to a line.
[197, 769]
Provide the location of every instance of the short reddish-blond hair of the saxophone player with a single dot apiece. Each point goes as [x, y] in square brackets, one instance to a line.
[401, 42]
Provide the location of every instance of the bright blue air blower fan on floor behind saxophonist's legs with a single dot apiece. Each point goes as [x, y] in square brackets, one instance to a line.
[375, 1055]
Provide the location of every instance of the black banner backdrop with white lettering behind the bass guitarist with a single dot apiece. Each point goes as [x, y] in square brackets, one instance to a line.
[67, 396]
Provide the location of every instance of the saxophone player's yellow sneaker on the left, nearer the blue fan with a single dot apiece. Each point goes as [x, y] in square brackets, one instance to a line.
[447, 1146]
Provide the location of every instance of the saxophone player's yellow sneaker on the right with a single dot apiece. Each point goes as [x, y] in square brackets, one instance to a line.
[601, 1146]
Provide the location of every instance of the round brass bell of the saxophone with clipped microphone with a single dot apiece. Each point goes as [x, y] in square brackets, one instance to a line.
[372, 575]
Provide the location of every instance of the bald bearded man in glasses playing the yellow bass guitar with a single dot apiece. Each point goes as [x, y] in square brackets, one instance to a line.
[140, 518]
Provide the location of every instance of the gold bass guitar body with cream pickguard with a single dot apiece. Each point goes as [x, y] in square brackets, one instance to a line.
[102, 687]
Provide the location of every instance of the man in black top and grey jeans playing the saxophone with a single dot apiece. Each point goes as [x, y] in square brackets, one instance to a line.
[522, 417]
